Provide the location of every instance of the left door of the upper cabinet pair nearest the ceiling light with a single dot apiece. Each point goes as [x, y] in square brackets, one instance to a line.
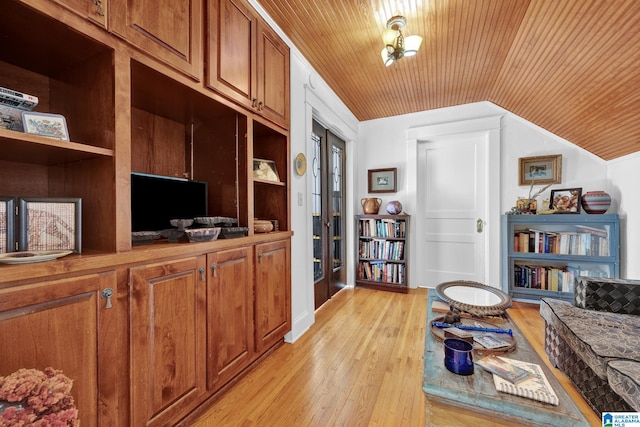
[231, 50]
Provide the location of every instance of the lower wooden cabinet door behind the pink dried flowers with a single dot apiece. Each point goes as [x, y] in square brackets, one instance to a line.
[66, 325]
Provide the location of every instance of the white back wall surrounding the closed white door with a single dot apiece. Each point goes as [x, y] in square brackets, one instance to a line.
[382, 143]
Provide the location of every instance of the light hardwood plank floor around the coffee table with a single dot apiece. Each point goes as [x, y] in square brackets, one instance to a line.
[360, 364]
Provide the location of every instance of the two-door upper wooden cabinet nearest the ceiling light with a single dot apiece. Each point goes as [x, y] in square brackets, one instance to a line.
[247, 61]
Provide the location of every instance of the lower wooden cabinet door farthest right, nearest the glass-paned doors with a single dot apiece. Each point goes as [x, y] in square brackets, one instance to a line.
[273, 293]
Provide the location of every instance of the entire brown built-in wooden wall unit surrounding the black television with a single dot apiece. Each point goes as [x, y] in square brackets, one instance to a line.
[184, 319]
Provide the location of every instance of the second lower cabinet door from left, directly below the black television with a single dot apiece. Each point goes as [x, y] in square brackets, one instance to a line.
[167, 322]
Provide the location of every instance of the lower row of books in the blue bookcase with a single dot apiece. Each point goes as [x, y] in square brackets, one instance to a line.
[550, 278]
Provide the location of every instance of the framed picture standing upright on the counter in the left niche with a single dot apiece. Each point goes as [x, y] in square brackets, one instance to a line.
[49, 224]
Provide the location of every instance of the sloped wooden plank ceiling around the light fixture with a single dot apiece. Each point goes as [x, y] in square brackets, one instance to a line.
[569, 66]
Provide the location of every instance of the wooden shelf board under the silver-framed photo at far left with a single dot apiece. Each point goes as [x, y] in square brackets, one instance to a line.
[26, 148]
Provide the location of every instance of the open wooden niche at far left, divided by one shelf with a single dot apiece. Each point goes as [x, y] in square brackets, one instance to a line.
[71, 75]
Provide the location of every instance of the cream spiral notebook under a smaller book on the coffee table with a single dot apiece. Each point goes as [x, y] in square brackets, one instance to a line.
[535, 387]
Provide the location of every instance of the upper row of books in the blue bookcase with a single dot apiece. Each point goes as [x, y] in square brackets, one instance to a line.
[594, 242]
